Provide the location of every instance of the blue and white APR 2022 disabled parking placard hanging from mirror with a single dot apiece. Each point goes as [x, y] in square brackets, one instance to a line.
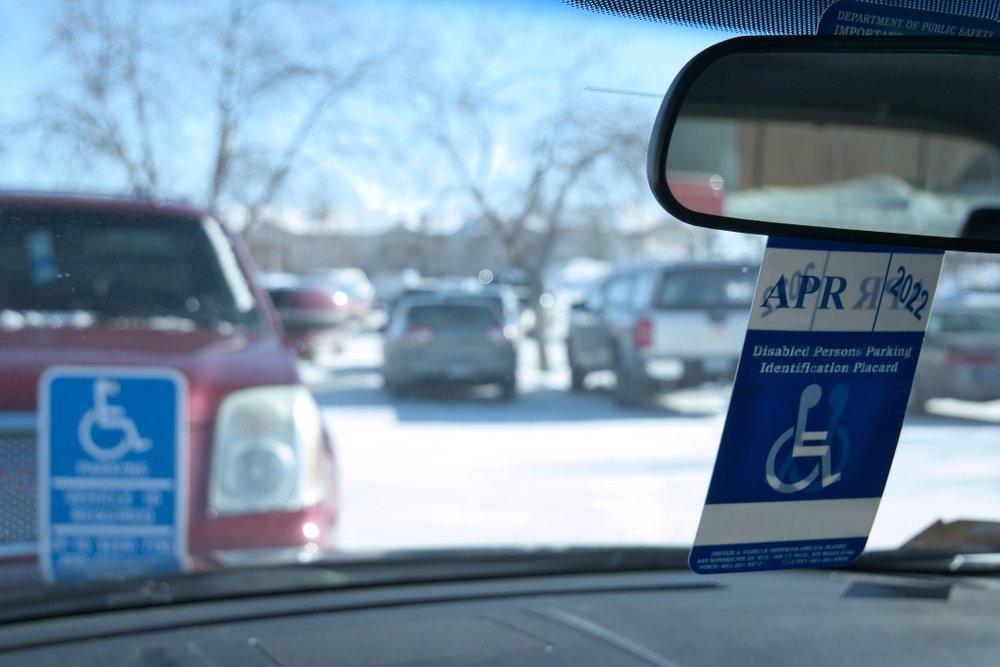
[817, 405]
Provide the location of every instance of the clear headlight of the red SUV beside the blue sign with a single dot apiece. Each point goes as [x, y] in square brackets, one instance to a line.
[268, 452]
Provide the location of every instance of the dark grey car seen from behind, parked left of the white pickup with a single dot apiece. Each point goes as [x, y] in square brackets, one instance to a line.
[455, 339]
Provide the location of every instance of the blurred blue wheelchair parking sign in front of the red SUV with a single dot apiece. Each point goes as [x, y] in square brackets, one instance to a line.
[112, 472]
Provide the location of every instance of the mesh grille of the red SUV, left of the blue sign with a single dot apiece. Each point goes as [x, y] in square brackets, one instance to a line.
[18, 488]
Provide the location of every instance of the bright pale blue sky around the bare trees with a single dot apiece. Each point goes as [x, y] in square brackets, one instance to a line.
[625, 54]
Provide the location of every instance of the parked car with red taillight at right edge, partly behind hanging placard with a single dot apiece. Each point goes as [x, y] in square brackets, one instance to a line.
[960, 357]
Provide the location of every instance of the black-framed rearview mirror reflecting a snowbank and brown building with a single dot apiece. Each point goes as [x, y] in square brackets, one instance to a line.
[891, 140]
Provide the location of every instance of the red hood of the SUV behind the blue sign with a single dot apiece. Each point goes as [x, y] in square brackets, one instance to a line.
[213, 362]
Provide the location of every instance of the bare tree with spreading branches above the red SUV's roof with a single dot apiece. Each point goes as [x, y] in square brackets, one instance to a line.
[134, 82]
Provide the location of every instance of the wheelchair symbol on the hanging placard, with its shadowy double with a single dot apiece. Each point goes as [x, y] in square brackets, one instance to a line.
[782, 473]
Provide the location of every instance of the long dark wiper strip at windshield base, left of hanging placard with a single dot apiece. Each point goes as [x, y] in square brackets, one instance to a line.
[24, 603]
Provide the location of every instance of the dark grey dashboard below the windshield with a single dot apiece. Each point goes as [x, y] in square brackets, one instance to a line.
[644, 618]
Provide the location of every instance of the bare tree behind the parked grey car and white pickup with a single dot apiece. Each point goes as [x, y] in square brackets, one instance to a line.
[531, 181]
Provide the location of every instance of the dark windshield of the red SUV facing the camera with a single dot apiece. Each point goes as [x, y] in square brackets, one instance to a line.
[122, 267]
